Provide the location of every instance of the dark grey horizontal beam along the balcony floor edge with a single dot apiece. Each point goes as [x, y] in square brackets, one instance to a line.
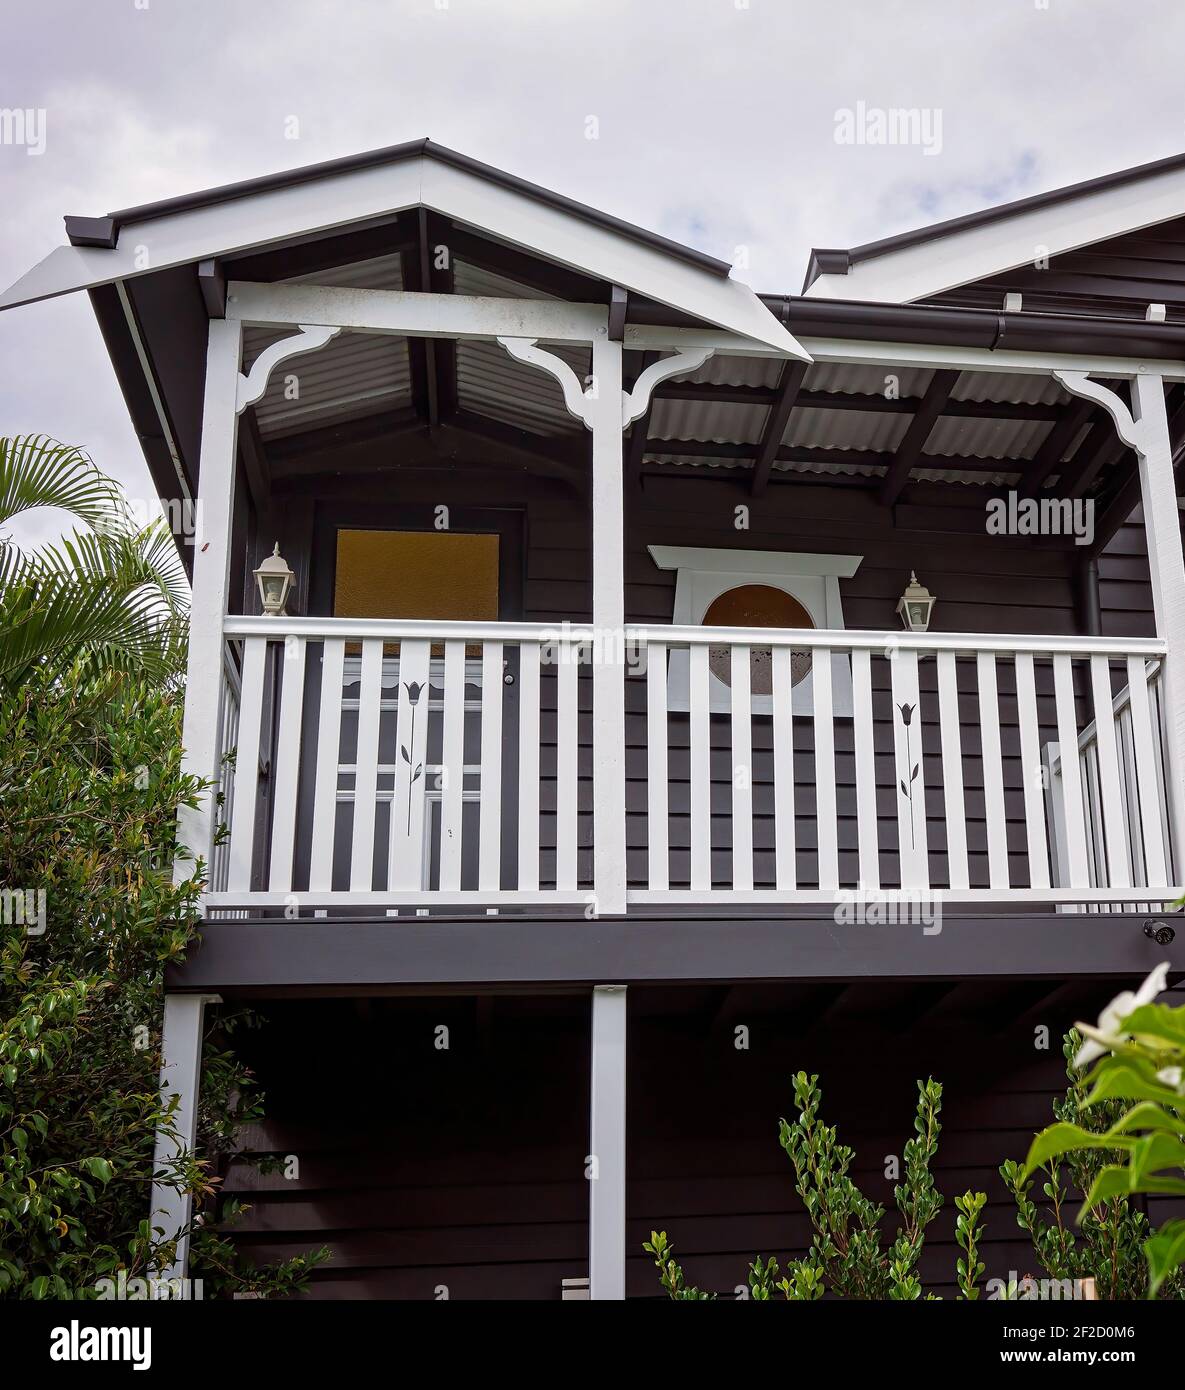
[344, 957]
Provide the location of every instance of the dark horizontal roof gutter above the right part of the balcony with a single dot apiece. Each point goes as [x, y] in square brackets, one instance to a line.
[977, 327]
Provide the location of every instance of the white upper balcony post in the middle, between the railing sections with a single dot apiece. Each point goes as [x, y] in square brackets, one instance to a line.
[609, 623]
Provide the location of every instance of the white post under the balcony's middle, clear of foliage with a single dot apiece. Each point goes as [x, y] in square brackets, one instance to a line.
[608, 1145]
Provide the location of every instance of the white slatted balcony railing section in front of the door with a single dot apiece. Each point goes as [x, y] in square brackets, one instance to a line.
[386, 765]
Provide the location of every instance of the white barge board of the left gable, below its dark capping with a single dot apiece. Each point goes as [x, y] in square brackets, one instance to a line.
[338, 201]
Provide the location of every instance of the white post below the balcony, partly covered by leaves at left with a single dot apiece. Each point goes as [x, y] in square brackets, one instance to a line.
[181, 1075]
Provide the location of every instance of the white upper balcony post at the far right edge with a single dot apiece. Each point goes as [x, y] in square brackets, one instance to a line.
[1166, 565]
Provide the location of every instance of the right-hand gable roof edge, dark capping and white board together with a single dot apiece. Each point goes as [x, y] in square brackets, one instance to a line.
[930, 261]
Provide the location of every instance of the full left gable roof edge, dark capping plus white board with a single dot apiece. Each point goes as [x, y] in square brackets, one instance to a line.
[354, 193]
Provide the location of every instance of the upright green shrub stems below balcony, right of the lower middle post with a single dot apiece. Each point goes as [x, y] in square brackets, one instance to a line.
[847, 1256]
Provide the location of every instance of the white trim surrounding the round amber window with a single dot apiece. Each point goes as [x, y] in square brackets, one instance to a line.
[704, 575]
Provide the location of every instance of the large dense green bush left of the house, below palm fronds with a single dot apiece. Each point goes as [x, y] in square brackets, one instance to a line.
[90, 787]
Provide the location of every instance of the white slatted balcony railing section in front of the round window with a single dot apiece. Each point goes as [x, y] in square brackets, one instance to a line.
[897, 764]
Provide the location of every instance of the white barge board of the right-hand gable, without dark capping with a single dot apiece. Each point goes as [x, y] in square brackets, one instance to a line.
[965, 255]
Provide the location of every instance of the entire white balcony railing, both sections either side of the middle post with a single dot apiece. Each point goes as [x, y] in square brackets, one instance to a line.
[406, 765]
